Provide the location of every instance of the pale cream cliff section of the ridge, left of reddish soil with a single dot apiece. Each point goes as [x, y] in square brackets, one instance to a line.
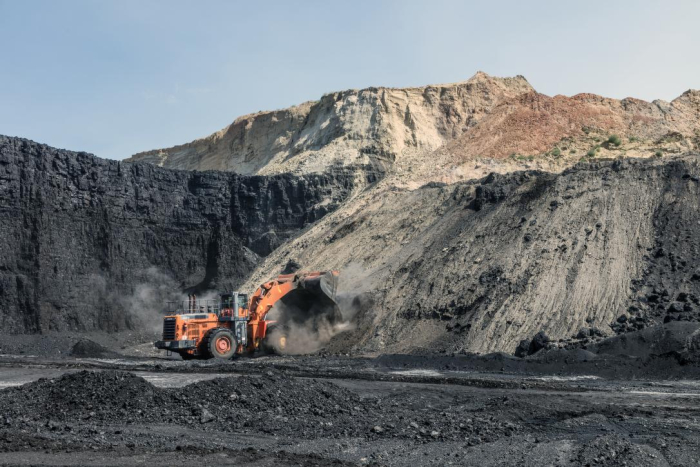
[384, 127]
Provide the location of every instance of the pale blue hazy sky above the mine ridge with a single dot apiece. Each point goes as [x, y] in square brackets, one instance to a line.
[114, 78]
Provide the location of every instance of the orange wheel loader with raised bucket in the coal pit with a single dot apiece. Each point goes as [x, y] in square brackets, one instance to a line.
[234, 324]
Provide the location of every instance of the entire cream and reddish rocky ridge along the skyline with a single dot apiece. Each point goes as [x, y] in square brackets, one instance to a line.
[443, 133]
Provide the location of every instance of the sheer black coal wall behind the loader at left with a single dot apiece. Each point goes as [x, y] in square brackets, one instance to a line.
[80, 235]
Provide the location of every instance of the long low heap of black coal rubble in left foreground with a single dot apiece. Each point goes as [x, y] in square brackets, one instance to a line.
[271, 404]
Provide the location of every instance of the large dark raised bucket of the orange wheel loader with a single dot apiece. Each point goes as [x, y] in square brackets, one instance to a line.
[312, 301]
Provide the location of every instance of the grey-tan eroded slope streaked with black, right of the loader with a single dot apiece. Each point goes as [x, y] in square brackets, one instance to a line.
[480, 265]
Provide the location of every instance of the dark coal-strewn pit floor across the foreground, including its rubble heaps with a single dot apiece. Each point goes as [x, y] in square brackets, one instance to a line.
[336, 410]
